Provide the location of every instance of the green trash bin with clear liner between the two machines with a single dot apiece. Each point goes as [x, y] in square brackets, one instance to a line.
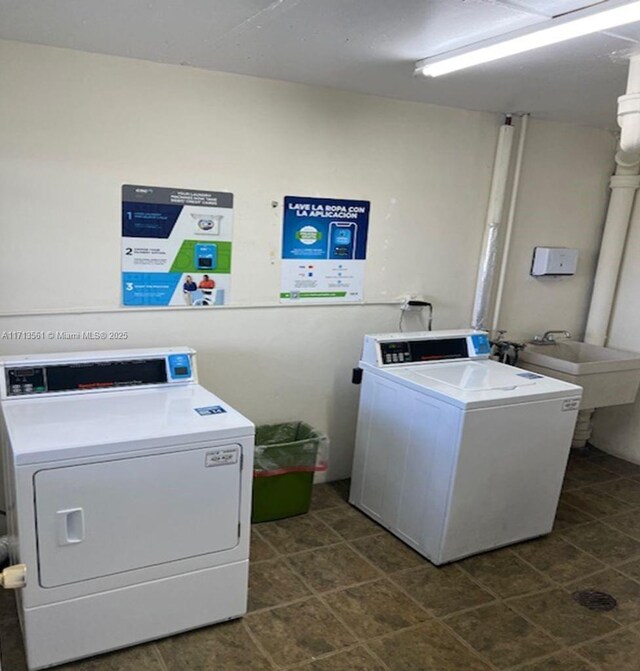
[286, 457]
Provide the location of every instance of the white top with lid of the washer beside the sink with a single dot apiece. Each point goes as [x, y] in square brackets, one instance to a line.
[477, 384]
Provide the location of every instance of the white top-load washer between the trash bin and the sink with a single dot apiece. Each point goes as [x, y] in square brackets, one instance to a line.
[455, 453]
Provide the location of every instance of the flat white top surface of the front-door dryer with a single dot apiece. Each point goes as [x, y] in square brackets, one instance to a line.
[83, 425]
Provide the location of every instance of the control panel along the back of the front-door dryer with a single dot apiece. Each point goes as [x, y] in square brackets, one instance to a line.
[88, 372]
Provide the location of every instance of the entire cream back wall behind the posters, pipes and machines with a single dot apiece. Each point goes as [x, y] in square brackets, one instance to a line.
[75, 126]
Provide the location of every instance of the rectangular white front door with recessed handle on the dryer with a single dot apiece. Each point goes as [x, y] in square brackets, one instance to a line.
[109, 517]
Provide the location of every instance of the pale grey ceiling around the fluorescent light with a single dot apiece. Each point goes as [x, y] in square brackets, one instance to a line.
[368, 46]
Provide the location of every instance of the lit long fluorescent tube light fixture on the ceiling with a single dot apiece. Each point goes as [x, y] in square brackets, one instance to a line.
[568, 27]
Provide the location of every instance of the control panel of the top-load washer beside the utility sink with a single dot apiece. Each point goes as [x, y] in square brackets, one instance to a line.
[392, 349]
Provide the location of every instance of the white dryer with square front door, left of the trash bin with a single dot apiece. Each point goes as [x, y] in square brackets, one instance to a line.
[128, 489]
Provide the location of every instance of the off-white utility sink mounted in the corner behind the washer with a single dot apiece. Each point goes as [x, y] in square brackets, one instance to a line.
[608, 376]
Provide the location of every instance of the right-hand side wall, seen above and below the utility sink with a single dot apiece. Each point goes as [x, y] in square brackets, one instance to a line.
[617, 429]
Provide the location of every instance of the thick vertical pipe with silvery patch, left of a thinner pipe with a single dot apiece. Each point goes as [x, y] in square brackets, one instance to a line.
[488, 258]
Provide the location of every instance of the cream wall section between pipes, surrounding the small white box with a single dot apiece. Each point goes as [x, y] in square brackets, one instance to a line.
[561, 203]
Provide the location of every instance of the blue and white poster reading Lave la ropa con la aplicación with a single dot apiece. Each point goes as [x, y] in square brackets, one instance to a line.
[324, 248]
